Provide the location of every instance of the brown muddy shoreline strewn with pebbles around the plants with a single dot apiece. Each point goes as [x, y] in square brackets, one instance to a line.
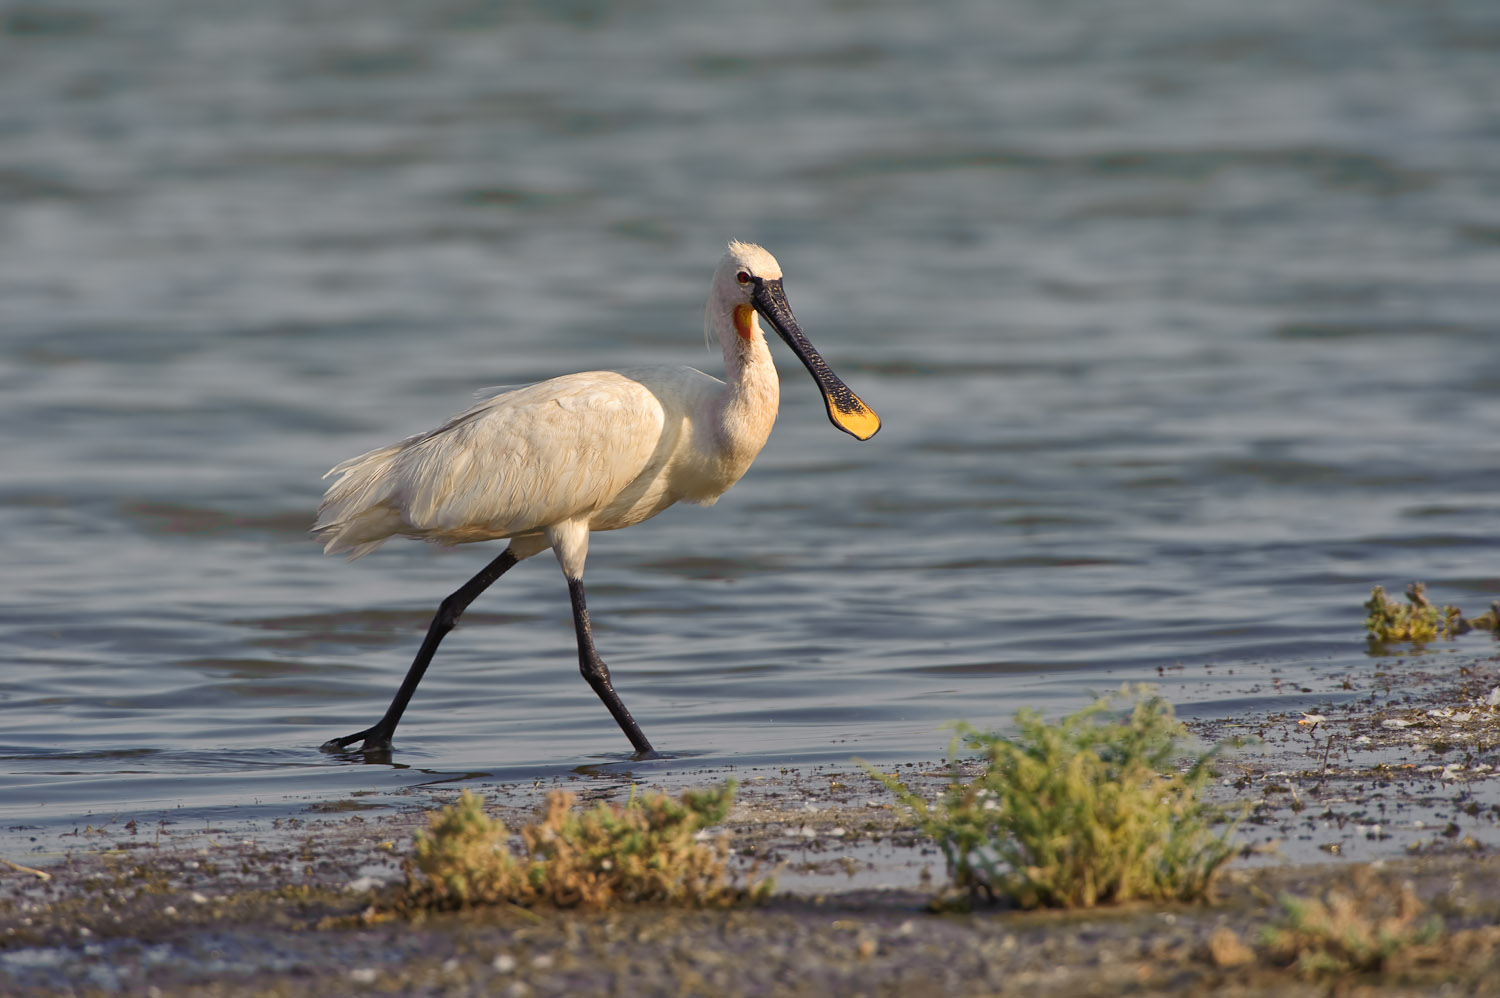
[1400, 784]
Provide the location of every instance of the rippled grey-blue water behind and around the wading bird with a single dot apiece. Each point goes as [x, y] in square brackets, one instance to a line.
[1181, 317]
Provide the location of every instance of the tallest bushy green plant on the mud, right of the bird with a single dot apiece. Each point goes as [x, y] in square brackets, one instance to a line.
[1079, 813]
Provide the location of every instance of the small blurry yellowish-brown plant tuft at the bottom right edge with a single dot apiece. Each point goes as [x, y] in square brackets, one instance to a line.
[1351, 933]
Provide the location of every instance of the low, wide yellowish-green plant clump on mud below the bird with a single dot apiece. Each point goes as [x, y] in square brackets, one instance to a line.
[647, 850]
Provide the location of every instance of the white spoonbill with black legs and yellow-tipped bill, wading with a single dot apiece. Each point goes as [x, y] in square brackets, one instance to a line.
[551, 463]
